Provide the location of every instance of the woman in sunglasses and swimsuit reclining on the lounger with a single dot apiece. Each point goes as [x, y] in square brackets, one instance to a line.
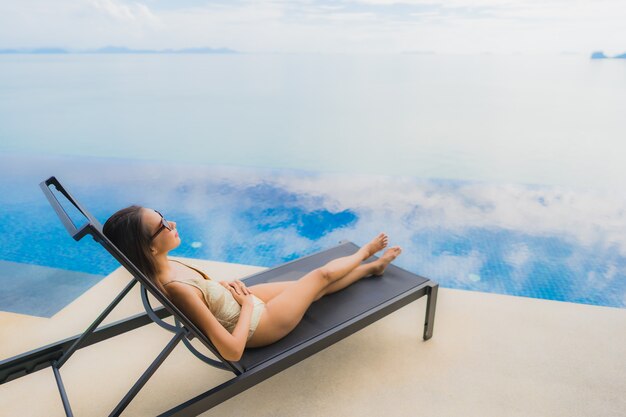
[232, 315]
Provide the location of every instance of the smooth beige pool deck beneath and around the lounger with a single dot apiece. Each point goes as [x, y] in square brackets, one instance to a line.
[491, 355]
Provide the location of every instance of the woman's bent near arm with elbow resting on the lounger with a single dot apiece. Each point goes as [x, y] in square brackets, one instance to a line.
[231, 346]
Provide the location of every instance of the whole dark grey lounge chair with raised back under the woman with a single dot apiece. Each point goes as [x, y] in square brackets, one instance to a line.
[327, 321]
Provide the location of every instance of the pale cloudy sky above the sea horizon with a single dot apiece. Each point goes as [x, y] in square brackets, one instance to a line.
[321, 26]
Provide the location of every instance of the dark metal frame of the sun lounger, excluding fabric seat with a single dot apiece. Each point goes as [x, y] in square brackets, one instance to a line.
[56, 354]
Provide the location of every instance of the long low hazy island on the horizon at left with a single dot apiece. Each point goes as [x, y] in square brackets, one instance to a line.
[118, 50]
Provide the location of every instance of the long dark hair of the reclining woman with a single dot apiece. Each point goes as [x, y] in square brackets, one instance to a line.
[125, 228]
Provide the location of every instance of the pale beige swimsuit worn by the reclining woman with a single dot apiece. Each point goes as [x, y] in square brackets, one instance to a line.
[221, 302]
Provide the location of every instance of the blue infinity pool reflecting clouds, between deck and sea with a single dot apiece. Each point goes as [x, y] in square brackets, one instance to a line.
[535, 241]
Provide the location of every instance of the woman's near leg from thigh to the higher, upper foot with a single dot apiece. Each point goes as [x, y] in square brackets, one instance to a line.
[285, 310]
